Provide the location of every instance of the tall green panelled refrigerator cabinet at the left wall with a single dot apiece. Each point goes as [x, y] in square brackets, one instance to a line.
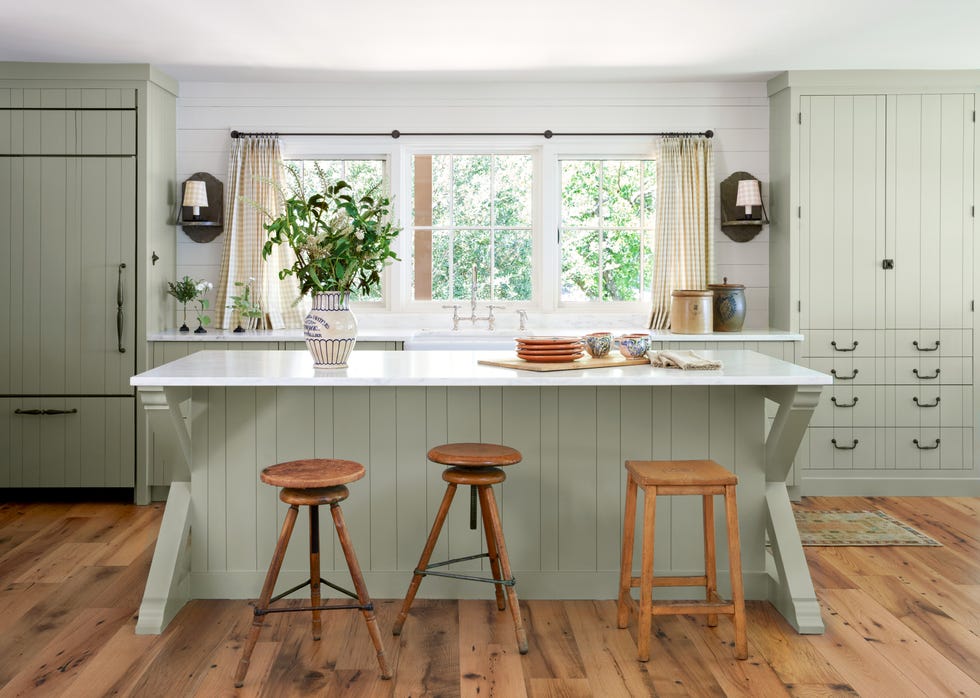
[87, 180]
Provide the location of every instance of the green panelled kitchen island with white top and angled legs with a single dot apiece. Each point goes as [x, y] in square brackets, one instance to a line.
[225, 415]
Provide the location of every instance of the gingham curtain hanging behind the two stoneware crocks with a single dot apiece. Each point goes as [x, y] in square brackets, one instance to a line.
[684, 245]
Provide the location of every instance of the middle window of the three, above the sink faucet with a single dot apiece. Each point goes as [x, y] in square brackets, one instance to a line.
[472, 210]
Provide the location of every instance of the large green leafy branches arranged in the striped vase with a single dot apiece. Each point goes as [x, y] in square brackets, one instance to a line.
[341, 242]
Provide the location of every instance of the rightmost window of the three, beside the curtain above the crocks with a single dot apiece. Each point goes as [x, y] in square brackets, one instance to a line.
[606, 230]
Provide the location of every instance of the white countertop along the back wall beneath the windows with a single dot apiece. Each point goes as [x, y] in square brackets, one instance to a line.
[400, 334]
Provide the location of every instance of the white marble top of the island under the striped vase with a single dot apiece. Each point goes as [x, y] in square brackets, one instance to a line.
[439, 368]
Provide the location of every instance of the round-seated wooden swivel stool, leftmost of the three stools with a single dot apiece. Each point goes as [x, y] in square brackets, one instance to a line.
[313, 483]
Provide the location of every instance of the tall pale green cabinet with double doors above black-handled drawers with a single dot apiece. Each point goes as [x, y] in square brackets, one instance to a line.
[872, 260]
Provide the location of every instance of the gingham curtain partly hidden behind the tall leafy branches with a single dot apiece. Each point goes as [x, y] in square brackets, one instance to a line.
[254, 172]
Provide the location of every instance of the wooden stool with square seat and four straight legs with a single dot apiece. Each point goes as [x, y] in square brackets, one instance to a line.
[703, 477]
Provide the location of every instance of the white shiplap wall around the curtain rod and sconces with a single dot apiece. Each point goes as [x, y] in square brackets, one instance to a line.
[737, 112]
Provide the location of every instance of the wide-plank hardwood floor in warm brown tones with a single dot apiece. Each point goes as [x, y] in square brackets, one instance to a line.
[901, 621]
